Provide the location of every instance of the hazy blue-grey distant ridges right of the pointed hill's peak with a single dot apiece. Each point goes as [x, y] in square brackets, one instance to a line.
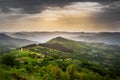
[107, 38]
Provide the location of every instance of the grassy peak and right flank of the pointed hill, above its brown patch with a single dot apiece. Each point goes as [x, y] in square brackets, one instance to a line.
[76, 47]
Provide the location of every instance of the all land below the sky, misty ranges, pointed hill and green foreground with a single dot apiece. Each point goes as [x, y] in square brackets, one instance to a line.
[59, 56]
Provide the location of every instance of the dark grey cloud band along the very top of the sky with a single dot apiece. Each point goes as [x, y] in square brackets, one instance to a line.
[35, 6]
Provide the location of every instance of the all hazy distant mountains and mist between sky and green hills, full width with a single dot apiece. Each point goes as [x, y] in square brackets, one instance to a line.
[19, 39]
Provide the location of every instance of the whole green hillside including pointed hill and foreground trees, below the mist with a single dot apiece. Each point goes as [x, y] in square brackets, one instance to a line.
[61, 59]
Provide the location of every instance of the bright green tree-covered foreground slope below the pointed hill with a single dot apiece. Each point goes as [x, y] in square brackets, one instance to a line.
[28, 65]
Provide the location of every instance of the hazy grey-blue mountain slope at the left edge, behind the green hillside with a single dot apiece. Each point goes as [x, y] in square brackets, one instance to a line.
[7, 42]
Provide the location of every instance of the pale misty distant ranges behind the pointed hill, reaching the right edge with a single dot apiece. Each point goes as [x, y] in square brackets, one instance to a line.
[42, 37]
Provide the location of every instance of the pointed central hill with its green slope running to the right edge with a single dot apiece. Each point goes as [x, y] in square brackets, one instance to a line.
[96, 52]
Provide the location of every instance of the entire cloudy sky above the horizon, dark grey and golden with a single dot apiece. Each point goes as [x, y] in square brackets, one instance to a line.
[60, 15]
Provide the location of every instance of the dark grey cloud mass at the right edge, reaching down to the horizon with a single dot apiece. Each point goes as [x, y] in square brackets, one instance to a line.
[110, 15]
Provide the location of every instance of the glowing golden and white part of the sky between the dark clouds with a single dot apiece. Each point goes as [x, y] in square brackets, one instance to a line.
[74, 17]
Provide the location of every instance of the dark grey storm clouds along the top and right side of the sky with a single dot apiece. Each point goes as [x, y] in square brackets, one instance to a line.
[110, 14]
